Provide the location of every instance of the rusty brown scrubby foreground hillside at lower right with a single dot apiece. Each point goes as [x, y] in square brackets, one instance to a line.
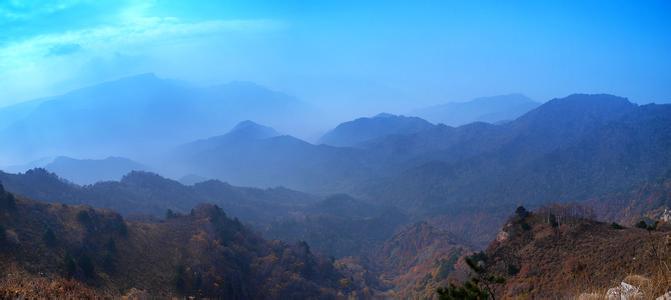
[555, 253]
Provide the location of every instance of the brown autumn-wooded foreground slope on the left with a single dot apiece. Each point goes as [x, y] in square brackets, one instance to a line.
[55, 250]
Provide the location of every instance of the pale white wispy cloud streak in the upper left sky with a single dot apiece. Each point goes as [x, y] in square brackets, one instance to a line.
[28, 69]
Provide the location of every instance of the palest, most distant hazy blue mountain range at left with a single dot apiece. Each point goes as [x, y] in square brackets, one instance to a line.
[136, 117]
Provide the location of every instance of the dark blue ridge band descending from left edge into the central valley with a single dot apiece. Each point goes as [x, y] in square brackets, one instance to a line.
[336, 225]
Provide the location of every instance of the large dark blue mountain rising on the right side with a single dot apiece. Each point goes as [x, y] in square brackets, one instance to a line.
[565, 150]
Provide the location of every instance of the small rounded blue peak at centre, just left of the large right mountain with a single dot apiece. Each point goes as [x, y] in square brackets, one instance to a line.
[360, 130]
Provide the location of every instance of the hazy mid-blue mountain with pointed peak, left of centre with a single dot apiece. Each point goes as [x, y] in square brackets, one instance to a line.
[243, 157]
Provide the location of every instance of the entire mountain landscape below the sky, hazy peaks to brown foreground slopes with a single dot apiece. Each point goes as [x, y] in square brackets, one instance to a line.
[400, 205]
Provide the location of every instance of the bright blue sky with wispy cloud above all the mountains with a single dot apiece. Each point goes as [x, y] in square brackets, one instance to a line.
[384, 55]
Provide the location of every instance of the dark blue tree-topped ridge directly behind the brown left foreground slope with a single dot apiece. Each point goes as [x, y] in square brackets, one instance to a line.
[144, 193]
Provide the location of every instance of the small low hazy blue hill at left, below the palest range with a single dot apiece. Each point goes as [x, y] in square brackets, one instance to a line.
[89, 171]
